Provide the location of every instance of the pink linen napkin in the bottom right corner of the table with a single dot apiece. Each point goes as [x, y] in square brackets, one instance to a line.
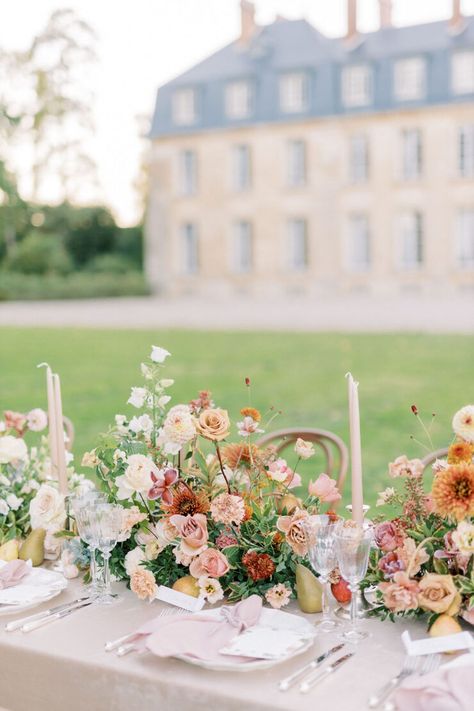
[451, 688]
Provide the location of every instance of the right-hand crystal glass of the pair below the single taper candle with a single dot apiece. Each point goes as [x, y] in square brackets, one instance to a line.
[353, 543]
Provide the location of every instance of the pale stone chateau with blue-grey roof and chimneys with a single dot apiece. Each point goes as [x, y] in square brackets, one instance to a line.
[292, 162]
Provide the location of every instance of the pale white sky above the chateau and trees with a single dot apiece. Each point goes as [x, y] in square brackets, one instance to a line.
[144, 43]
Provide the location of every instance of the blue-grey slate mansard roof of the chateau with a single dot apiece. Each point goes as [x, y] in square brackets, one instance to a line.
[295, 45]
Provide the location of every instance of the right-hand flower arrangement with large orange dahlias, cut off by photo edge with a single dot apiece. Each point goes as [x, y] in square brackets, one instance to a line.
[423, 563]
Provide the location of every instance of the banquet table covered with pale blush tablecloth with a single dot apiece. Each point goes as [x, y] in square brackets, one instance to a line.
[64, 667]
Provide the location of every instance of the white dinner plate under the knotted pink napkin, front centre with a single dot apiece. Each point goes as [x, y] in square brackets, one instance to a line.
[273, 619]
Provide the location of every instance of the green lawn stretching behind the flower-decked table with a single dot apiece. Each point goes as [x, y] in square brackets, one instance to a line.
[301, 374]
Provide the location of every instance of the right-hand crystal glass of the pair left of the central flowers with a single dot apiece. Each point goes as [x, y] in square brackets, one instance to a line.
[107, 527]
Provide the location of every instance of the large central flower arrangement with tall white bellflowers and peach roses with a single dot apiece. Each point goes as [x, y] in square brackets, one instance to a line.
[215, 524]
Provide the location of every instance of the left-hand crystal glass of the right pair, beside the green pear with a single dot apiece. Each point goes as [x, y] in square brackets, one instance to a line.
[320, 530]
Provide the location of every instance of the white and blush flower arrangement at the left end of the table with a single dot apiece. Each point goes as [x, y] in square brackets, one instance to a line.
[29, 496]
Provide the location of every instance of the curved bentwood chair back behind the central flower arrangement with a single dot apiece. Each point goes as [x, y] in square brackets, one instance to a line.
[332, 447]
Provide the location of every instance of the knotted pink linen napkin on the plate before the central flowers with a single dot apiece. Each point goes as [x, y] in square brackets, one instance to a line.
[200, 636]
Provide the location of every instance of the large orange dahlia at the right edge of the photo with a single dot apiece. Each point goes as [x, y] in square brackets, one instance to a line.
[453, 491]
